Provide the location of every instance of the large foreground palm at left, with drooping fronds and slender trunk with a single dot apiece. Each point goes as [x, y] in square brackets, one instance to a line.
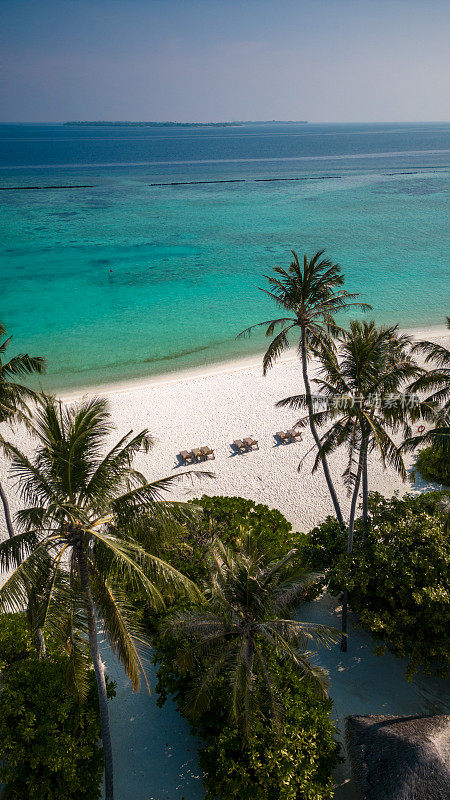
[73, 493]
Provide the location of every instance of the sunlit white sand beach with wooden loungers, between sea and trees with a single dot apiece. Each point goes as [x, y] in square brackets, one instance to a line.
[230, 401]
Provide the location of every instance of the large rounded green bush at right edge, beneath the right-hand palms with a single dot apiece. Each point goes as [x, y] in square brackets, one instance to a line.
[398, 576]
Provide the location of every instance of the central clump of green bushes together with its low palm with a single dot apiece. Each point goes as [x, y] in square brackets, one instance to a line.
[239, 668]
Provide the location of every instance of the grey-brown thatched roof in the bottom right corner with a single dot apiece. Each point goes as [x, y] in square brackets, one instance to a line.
[400, 758]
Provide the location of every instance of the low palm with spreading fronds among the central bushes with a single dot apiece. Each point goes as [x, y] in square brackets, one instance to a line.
[245, 626]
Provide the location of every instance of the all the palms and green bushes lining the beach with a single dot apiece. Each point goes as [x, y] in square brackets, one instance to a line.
[215, 583]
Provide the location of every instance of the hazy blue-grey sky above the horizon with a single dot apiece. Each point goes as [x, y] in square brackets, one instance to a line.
[218, 60]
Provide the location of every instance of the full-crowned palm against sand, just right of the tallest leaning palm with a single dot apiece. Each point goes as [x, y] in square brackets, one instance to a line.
[360, 388]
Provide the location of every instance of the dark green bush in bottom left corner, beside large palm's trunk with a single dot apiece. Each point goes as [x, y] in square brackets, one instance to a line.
[49, 743]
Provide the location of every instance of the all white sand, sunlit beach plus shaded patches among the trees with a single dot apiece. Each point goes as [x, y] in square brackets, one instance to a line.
[213, 407]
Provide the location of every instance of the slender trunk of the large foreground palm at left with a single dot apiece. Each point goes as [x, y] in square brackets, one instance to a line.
[99, 674]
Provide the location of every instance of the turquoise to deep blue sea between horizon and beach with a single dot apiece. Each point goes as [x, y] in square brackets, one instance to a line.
[187, 259]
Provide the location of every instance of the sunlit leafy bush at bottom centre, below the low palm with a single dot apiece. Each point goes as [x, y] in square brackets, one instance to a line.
[295, 763]
